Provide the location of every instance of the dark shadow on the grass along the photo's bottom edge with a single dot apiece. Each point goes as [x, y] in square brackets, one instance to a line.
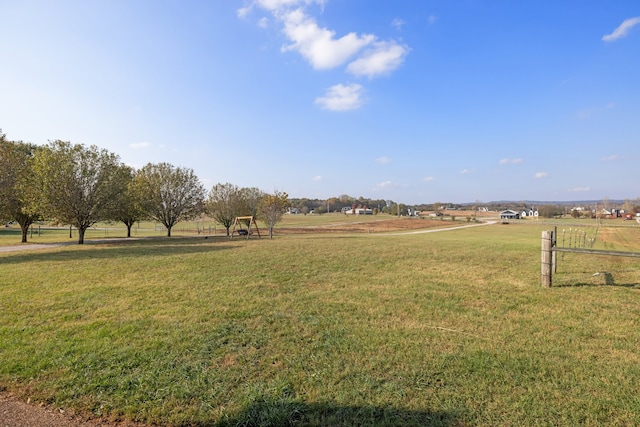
[278, 412]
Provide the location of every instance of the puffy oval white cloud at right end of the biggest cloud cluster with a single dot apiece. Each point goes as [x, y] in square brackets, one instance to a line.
[382, 58]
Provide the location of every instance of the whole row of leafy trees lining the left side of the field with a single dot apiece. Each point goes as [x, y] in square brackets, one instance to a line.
[76, 185]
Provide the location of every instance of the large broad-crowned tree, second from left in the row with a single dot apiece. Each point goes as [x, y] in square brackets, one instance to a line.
[78, 185]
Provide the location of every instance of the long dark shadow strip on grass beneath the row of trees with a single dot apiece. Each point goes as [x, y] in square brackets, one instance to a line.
[117, 248]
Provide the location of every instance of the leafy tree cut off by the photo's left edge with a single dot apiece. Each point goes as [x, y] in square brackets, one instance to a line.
[16, 184]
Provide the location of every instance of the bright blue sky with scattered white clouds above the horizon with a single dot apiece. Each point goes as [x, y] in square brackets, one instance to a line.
[415, 101]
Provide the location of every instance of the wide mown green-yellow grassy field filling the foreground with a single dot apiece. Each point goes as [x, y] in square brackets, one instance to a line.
[449, 328]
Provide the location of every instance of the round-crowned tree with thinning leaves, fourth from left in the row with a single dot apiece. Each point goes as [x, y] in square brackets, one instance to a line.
[169, 194]
